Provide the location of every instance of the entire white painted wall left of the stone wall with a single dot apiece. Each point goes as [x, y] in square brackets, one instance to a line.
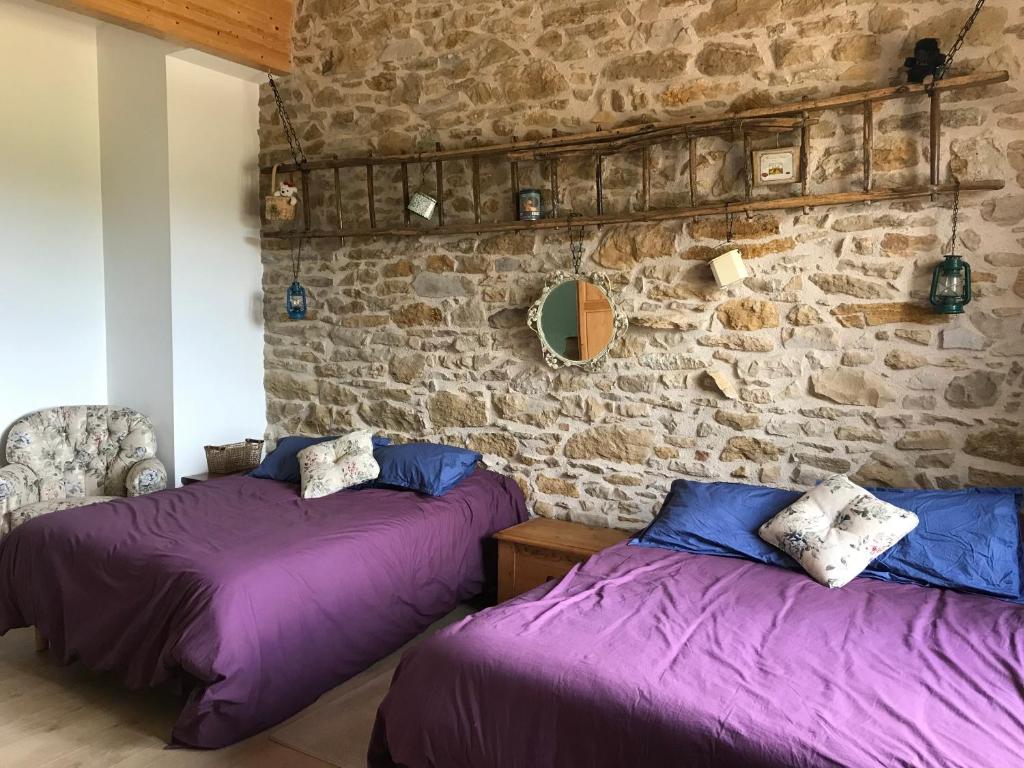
[132, 255]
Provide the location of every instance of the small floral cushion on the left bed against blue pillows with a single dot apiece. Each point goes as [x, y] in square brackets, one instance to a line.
[332, 466]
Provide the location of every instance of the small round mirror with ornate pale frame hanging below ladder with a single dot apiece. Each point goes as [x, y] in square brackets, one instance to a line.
[577, 320]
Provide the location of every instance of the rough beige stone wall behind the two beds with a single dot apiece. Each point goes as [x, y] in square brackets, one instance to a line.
[827, 360]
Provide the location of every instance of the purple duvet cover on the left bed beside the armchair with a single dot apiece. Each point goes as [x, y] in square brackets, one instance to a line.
[262, 600]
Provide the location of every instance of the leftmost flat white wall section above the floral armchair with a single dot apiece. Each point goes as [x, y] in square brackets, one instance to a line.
[52, 255]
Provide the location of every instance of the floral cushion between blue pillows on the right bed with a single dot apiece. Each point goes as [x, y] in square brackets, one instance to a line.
[836, 530]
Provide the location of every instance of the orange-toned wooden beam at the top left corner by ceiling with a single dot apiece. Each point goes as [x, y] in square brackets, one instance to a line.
[257, 33]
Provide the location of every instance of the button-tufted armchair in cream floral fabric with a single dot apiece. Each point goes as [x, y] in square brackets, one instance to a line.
[70, 457]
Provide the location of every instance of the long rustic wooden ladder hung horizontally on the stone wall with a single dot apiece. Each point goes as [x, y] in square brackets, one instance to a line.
[741, 127]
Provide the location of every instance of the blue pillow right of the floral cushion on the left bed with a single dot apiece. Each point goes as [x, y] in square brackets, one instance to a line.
[424, 467]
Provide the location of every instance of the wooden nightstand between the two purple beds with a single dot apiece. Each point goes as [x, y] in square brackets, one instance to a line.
[540, 550]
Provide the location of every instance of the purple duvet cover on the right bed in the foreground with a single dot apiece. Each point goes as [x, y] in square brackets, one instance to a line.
[648, 658]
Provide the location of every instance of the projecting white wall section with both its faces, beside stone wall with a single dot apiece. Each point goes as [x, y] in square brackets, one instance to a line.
[180, 146]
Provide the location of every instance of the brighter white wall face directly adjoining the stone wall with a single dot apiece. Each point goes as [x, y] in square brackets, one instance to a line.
[217, 305]
